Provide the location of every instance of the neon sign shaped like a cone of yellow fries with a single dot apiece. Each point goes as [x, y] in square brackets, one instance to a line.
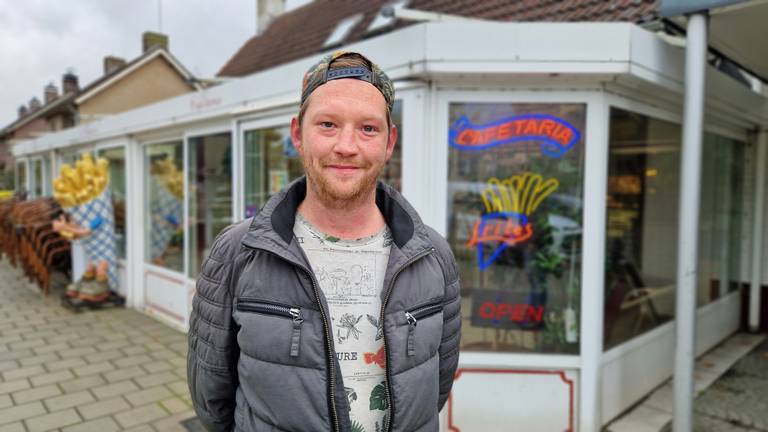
[508, 205]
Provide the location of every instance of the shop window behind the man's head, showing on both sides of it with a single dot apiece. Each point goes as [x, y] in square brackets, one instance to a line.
[271, 162]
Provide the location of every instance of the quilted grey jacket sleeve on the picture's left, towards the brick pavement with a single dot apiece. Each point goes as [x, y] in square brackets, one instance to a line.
[213, 350]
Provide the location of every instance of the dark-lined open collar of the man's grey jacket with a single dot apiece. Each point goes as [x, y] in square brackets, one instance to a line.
[272, 227]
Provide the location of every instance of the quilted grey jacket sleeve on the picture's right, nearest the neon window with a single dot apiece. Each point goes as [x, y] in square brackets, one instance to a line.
[450, 343]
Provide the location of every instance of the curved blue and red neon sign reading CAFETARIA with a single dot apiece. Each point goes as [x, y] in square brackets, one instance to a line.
[557, 135]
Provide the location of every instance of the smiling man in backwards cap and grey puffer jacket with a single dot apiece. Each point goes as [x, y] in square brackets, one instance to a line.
[334, 308]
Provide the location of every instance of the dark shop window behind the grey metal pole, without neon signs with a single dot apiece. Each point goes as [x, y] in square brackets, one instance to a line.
[642, 215]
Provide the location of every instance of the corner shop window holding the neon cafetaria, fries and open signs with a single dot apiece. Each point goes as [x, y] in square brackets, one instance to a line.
[514, 223]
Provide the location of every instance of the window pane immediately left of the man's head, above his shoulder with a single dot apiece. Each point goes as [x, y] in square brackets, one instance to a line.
[271, 162]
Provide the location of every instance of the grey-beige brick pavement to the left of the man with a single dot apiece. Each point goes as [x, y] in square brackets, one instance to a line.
[105, 370]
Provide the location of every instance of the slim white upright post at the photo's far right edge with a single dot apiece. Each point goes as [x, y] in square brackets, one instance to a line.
[757, 238]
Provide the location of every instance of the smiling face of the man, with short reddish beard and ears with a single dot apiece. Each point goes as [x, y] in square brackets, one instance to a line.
[343, 140]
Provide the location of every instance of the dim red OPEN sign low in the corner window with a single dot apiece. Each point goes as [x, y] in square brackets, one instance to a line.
[504, 309]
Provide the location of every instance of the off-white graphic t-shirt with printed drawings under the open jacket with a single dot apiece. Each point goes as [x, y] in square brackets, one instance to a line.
[351, 276]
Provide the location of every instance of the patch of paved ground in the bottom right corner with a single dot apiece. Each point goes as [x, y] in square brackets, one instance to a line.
[738, 401]
